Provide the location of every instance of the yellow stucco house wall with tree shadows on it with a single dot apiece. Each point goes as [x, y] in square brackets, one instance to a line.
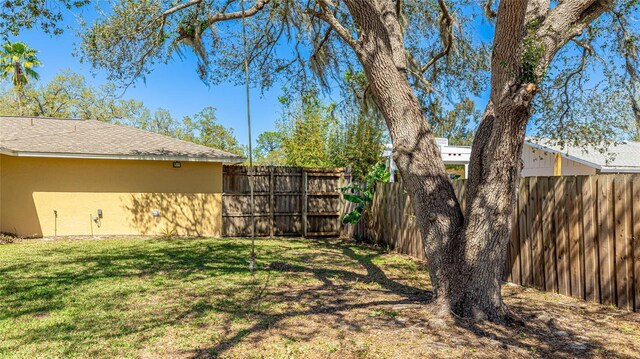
[189, 199]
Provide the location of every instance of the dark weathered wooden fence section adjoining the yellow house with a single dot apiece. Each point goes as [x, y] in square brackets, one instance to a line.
[288, 201]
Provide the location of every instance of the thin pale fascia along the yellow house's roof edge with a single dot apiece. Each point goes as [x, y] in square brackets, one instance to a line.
[231, 160]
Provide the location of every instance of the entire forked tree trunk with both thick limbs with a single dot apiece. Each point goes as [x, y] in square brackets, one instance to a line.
[465, 253]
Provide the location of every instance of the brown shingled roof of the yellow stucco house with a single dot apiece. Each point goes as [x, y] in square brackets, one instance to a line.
[72, 138]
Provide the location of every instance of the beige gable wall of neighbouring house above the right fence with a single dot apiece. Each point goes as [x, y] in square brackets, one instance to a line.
[540, 163]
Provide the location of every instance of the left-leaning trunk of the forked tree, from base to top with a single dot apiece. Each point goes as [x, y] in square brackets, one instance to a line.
[415, 151]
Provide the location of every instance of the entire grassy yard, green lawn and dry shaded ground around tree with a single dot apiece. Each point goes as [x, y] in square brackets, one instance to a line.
[312, 299]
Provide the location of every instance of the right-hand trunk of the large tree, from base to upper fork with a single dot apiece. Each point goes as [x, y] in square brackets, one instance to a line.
[491, 191]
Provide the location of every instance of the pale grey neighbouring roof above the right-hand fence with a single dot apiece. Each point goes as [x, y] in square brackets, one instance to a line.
[621, 157]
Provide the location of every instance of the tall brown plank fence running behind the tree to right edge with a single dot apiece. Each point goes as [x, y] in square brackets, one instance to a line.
[578, 236]
